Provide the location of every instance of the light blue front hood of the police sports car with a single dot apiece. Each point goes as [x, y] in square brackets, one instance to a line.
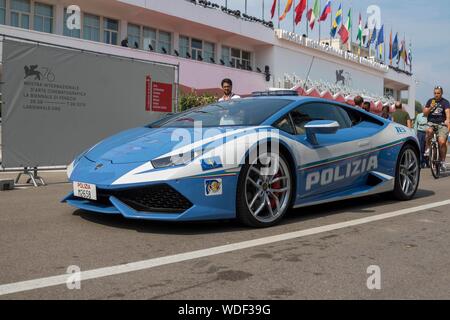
[144, 144]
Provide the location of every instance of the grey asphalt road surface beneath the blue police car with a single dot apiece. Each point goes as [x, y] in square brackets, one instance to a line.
[41, 238]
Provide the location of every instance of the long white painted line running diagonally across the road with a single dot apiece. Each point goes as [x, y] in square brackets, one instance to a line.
[161, 261]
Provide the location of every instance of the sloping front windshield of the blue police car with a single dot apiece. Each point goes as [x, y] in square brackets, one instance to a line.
[238, 112]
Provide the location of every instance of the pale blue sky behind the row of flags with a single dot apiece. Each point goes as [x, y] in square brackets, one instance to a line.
[424, 23]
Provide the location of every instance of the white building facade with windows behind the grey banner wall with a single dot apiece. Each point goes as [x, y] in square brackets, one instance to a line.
[207, 44]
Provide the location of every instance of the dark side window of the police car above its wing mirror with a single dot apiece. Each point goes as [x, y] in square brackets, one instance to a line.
[318, 111]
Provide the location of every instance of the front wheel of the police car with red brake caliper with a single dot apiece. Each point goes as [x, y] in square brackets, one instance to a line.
[264, 192]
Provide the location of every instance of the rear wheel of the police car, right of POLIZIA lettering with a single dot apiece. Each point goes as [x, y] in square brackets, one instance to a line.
[407, 174]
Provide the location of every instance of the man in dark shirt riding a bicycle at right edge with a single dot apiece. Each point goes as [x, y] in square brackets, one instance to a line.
[437, 111]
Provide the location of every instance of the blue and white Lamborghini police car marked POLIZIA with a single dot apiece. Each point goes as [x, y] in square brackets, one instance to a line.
[252, 159]
